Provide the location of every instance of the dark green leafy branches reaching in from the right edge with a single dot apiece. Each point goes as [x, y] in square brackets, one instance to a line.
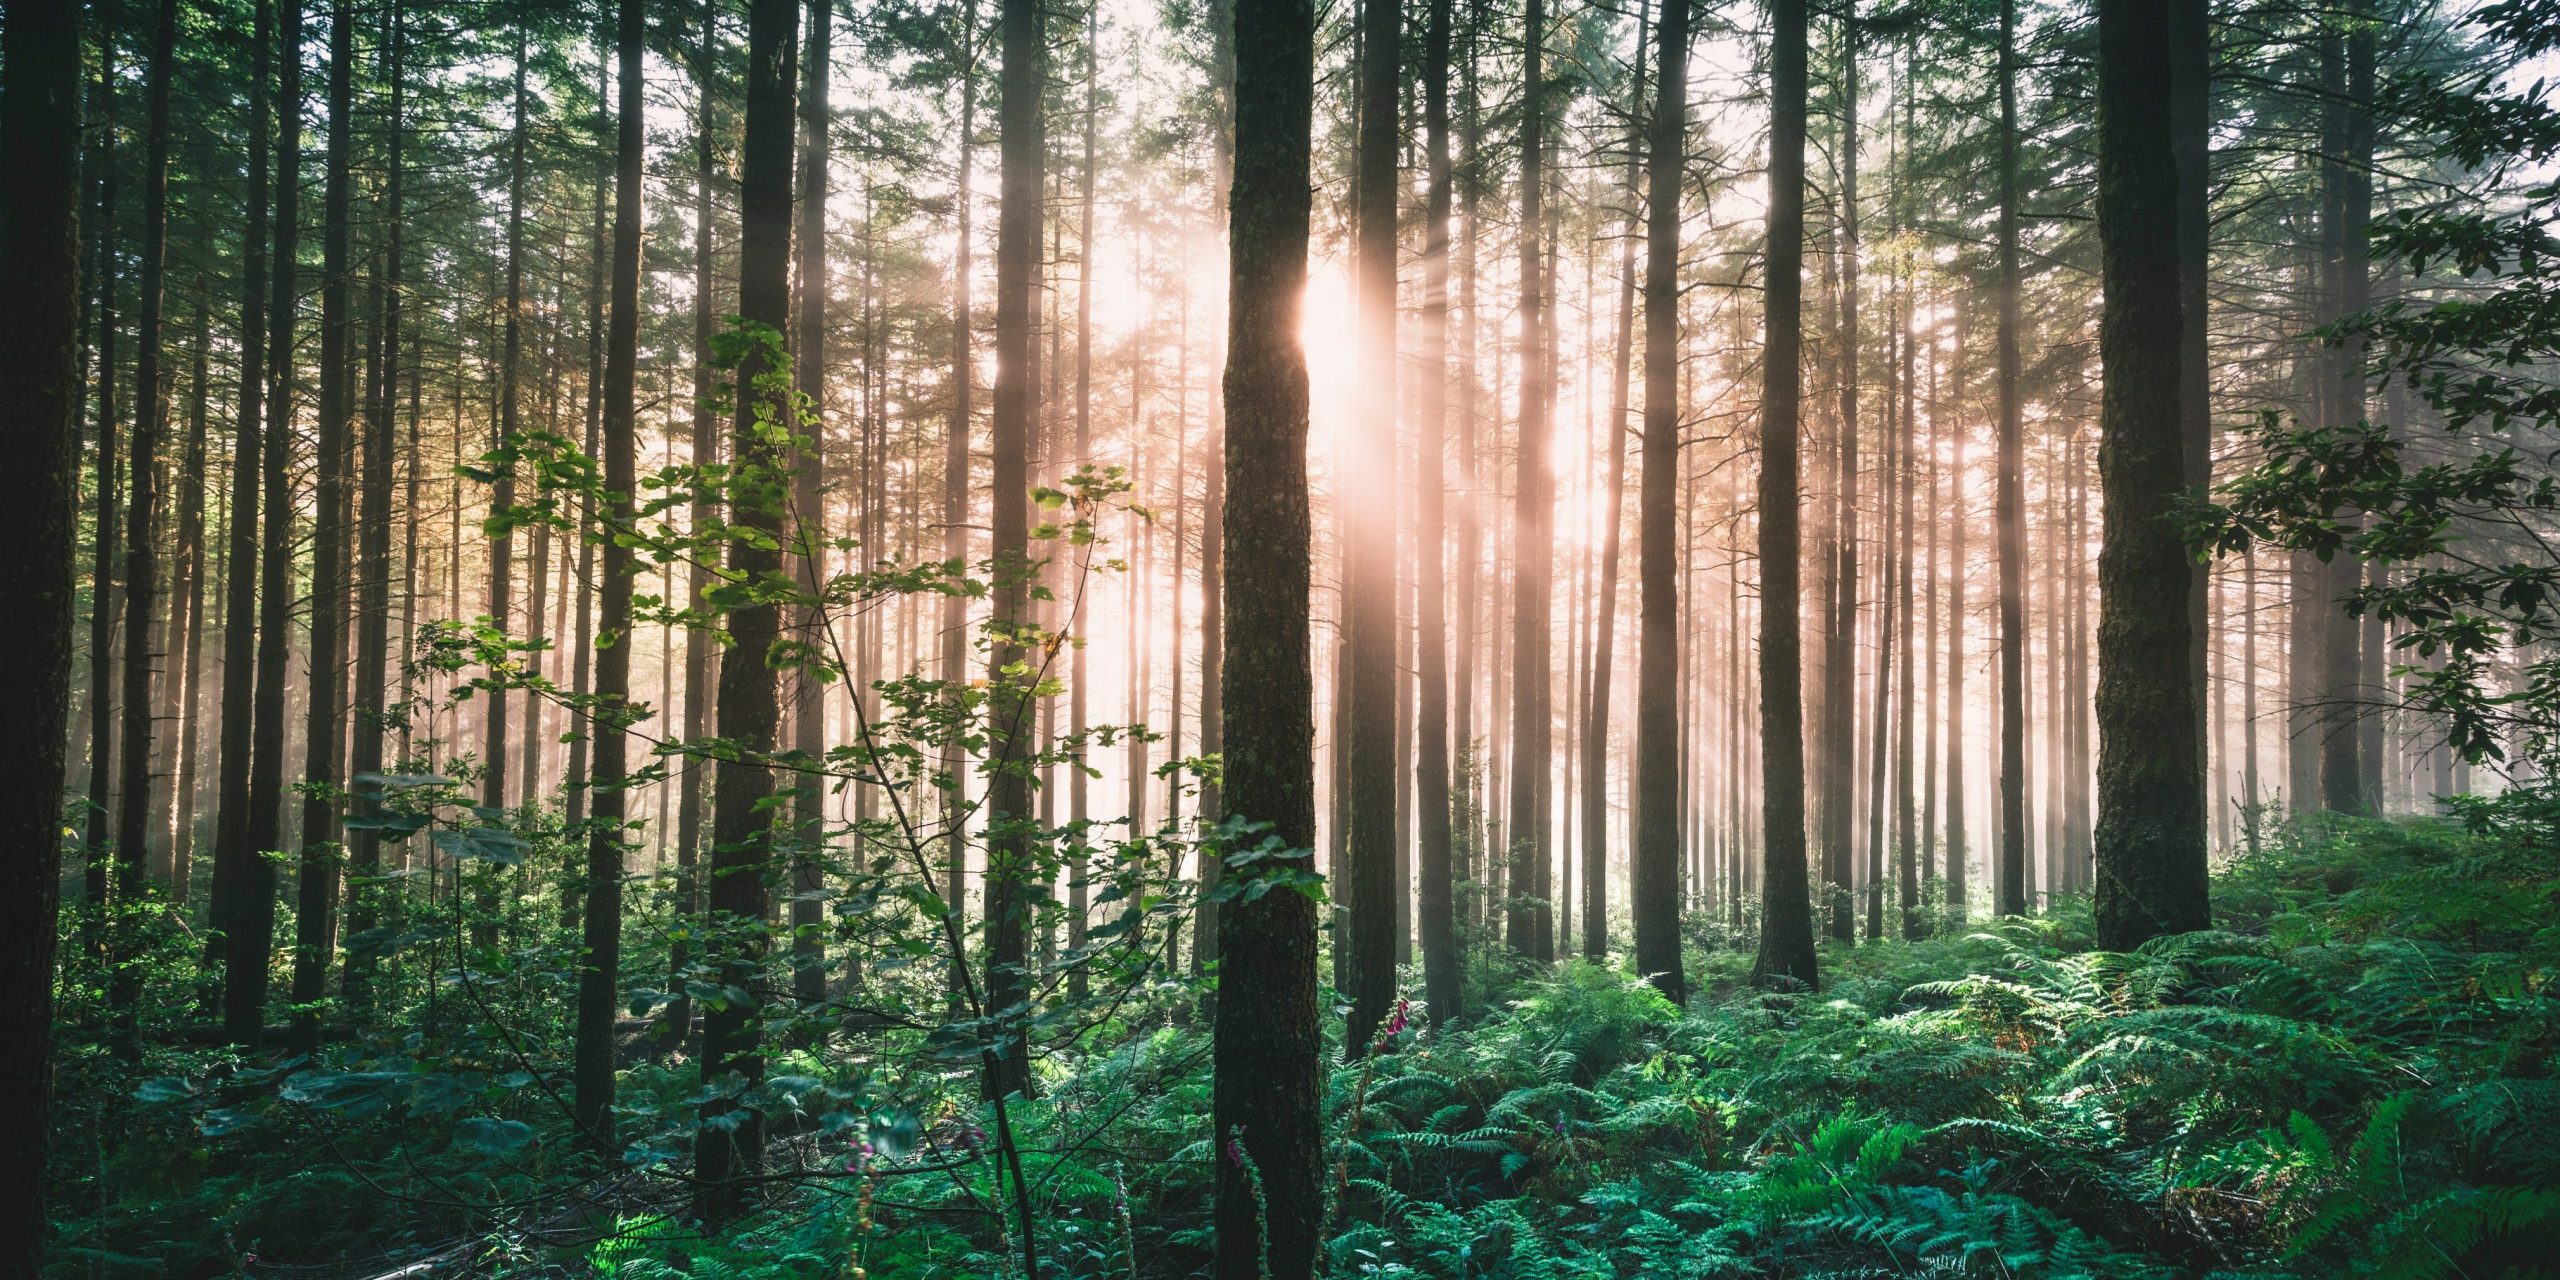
[2451, 488]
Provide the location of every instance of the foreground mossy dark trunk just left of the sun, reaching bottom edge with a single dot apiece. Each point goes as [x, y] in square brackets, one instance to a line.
[1266, 1110]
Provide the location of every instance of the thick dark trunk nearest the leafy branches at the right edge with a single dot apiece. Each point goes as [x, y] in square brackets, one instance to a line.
[2152, 785]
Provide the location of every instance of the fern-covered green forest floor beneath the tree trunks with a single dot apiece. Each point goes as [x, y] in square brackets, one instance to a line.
[2356, 1076]
